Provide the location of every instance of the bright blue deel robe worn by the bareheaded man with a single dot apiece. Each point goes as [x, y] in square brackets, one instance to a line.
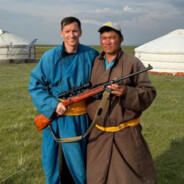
[54, 74]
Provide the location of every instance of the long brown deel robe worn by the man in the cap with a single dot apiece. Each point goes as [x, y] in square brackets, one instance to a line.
[121, 157]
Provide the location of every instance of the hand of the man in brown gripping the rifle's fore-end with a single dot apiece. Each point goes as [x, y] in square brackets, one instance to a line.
[118, 90]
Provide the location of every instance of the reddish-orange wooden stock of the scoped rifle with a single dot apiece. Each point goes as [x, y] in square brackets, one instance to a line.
[41, 121]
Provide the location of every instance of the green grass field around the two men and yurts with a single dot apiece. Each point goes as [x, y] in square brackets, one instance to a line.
[20, 142]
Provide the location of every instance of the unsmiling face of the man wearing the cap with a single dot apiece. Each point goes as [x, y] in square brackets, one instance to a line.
[110, 42]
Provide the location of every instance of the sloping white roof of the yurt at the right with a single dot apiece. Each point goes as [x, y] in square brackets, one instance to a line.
[172, 42]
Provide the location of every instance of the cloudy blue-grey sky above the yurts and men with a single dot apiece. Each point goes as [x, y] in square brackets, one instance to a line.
[141, 20]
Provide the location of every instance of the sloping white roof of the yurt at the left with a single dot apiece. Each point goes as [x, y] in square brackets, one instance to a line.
[7, 39]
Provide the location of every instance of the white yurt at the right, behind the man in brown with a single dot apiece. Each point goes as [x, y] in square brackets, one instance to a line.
[165, 54]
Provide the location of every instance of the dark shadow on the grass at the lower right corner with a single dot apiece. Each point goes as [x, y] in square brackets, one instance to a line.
[170, 165]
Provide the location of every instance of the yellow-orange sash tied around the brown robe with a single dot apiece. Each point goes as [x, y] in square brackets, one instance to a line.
[130, 123]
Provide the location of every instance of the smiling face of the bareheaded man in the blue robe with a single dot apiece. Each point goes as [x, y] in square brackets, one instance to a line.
[71, 33]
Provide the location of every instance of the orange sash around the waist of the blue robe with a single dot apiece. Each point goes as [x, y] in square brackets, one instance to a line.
[75, 109]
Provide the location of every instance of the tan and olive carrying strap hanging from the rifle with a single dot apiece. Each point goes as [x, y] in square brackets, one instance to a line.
[101, 106]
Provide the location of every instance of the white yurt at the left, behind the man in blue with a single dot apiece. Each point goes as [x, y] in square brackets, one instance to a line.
[14, 49]
